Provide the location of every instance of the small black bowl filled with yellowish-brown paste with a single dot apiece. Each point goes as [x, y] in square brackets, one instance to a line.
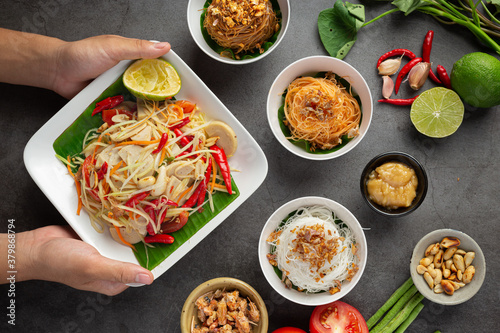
[394, 184]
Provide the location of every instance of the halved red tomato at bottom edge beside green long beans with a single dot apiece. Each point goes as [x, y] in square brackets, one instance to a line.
[337, 317]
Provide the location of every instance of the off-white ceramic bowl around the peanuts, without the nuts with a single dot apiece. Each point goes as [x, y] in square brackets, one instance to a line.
[467, 244]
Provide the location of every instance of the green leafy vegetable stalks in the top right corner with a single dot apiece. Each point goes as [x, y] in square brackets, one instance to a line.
[338, 26]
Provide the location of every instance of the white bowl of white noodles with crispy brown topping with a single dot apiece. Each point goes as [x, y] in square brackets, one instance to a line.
[312, 251]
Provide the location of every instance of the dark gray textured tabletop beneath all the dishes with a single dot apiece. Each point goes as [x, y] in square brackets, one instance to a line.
[463, 172]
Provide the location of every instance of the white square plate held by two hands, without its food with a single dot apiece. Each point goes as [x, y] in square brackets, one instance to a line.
[53, 179]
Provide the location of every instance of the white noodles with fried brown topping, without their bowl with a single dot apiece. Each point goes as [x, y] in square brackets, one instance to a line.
[314, 250]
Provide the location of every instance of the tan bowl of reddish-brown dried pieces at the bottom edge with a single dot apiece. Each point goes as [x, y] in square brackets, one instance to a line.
[232, 302]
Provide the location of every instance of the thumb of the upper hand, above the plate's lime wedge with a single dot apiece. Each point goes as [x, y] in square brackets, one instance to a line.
[121, 48]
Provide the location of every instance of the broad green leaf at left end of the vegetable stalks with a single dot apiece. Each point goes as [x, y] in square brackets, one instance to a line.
[338, 27]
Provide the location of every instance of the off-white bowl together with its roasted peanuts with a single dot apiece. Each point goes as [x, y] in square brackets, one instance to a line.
[447, 267]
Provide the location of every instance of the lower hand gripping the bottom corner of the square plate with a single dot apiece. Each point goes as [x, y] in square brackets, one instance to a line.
[55, 253]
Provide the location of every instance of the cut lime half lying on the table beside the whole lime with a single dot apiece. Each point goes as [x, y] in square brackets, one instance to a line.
[437, 112]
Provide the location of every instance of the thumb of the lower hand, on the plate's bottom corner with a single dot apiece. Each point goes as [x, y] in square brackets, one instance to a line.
[126, 273]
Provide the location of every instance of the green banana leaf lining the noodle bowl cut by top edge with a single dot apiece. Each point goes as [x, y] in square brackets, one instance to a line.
[246, 55]
